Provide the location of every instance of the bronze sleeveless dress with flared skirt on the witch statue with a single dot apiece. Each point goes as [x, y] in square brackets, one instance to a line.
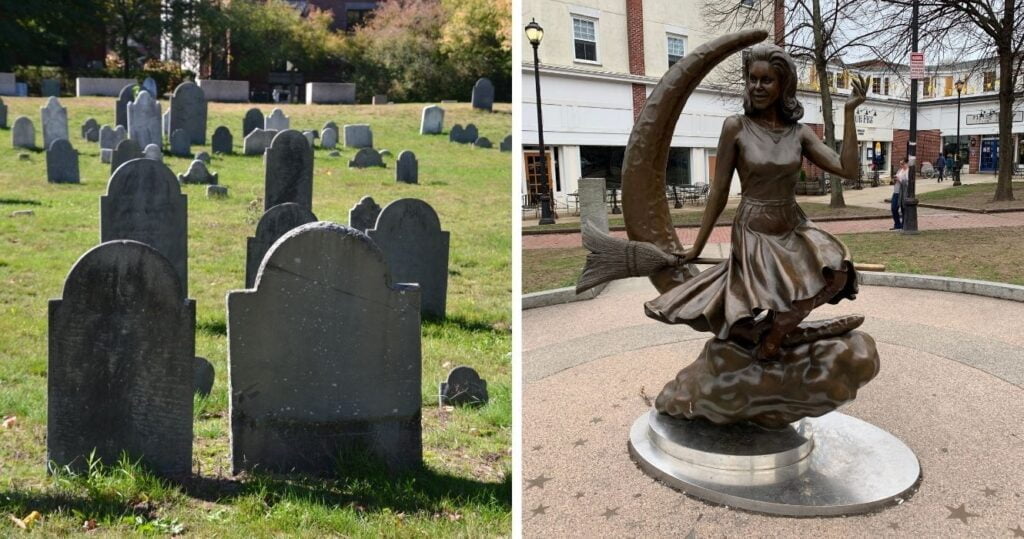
[779, 256]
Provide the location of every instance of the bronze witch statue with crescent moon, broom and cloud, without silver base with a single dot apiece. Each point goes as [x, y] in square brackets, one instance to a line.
[764, 363]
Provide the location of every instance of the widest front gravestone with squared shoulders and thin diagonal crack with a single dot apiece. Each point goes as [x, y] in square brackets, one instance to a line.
[325, 358]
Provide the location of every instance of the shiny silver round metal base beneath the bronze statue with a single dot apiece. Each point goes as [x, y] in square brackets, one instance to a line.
[831, 466]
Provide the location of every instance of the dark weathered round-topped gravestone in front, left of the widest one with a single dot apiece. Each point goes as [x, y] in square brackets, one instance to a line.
[122, 343]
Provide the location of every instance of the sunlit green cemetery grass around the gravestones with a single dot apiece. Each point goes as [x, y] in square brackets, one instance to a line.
[465, 487]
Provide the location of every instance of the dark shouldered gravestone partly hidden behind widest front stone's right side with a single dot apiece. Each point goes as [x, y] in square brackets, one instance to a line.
[416, 250]
